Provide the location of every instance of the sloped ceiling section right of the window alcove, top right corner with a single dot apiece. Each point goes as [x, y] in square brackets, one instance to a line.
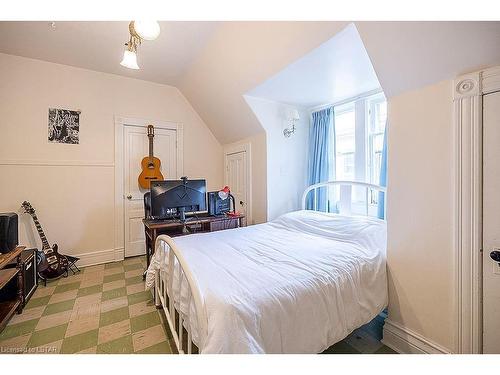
[410, 55]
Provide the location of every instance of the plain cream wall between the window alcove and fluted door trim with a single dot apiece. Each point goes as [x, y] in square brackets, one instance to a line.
[420, 209]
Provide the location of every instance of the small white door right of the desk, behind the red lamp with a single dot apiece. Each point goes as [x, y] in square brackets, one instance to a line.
[236, 179]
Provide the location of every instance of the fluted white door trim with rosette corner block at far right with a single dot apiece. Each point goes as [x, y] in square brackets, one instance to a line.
[468, 91]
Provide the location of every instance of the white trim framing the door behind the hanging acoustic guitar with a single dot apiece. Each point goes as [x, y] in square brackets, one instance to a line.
[120, 123]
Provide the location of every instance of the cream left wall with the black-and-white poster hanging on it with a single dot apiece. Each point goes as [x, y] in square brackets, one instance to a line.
[73, 191]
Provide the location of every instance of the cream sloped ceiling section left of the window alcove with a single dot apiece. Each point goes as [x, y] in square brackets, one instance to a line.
[238, 57]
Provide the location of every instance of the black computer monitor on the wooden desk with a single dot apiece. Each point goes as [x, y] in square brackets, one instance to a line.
[173, 198]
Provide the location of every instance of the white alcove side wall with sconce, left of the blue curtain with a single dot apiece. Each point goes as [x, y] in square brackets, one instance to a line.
[286, 157]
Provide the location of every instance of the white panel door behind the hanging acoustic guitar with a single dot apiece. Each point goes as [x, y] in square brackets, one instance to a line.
[134, 149]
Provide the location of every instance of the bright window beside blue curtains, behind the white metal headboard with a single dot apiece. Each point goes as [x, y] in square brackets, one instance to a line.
[359, 139]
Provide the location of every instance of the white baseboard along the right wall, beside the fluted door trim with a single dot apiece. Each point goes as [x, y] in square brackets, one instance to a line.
[406, 341]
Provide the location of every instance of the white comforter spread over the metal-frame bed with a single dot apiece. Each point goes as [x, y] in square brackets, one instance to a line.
[297, 284]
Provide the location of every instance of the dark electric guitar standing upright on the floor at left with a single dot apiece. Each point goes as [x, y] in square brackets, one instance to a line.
[51, 264]
